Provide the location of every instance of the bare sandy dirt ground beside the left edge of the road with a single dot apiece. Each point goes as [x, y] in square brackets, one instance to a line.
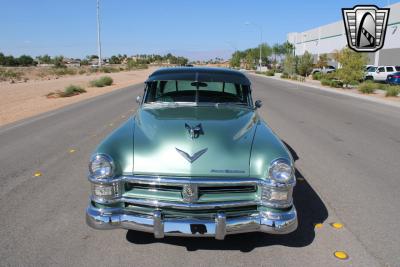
[22, 100]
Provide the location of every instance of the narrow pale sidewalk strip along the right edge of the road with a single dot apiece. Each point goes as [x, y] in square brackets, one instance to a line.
[377, 97]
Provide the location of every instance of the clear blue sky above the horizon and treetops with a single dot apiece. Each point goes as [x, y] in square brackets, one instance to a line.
[196, 29]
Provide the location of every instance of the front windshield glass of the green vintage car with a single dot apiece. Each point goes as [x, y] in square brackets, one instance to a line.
[197, 92]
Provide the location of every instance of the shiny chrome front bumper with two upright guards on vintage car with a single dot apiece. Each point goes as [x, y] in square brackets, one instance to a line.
[267, 222]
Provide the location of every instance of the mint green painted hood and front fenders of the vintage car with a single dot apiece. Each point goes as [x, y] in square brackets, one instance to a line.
[235, 137]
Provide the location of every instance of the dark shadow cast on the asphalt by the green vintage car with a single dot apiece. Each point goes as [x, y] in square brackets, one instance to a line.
[310, 211]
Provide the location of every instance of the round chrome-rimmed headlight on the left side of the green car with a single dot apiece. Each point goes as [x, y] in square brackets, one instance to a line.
[101, 166]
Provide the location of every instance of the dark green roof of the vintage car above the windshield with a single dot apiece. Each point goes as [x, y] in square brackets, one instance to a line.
[201, 74]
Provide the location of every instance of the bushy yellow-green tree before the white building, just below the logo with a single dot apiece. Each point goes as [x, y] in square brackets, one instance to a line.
[352, 63]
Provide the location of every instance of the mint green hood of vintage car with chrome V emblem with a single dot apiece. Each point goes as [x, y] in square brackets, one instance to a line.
[161, 141]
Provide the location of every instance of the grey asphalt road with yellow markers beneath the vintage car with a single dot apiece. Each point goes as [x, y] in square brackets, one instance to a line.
[347, 151]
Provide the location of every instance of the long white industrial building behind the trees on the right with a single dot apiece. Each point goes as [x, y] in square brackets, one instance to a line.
[332, 37]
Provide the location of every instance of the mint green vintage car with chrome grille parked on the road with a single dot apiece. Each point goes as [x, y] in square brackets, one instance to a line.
[196, 159]
